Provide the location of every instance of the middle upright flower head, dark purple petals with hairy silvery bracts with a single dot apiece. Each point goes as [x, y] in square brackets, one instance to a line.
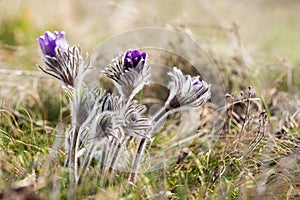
[129, 72]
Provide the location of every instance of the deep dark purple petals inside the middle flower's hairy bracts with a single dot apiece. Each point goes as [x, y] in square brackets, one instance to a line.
[133, 58]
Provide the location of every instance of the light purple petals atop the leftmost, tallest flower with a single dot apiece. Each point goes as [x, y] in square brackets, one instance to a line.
[50, 41]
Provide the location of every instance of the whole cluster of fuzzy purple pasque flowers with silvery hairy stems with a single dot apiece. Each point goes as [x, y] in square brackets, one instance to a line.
[103, 124]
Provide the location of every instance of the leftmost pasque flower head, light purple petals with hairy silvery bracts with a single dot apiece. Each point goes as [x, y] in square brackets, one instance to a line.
[62, 62]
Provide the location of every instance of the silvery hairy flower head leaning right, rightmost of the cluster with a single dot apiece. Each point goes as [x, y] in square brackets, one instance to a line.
[186, 91]
